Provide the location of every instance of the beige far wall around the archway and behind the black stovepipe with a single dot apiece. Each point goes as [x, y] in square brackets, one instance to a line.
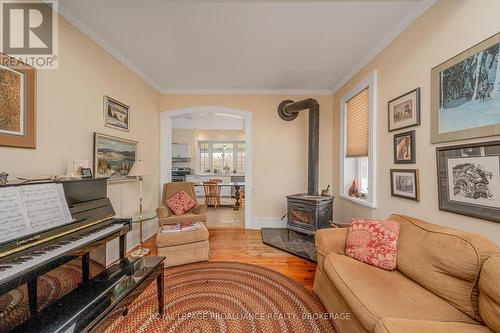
[279, 148]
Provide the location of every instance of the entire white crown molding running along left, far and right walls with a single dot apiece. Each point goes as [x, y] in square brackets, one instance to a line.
[423, 6]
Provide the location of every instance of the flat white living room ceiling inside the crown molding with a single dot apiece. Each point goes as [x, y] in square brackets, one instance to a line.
[243, 46]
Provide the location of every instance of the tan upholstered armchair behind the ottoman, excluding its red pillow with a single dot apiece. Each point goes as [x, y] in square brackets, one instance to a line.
[166, 216]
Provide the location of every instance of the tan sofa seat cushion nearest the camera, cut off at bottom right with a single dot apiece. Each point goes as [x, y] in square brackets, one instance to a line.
[400, 325]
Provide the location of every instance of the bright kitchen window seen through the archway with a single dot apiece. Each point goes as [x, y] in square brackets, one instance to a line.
[221, 156]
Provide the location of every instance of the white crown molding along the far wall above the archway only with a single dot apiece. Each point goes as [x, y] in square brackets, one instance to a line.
[275, 92]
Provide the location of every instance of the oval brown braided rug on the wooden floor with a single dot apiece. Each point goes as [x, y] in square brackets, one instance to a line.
[226, 297]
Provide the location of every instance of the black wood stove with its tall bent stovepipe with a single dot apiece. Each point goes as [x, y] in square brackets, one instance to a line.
[307, 212]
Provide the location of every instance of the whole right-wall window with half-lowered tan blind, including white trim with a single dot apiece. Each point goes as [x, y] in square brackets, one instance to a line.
[357, 143]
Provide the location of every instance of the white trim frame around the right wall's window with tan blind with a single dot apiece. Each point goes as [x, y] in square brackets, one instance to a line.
[369, 82]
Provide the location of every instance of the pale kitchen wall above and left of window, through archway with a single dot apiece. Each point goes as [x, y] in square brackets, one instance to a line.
[192, 136]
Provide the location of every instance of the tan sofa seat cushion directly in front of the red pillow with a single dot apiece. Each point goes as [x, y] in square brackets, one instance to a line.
[373, 294]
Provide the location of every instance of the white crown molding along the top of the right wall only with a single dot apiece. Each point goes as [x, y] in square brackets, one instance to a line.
[419, 10]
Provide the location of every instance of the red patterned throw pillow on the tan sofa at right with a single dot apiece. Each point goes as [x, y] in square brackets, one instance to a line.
[373, 242]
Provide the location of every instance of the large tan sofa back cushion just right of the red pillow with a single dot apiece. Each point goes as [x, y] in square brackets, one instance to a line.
[443, 260]
